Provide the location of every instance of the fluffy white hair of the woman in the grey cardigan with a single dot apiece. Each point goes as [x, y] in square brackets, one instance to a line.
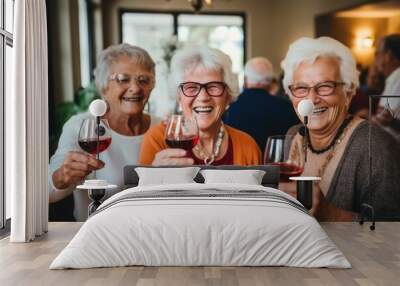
[309, 50]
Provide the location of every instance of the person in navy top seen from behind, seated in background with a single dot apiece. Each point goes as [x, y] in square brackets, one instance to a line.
[257, 111]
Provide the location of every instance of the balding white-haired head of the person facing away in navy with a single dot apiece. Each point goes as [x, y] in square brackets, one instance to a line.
[259, 70]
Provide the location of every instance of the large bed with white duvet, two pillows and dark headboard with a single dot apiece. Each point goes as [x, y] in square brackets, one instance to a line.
[201, 223]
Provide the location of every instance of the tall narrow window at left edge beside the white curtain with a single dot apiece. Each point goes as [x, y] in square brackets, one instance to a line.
[6, 44]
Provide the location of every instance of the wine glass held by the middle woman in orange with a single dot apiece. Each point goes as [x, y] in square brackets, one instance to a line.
[181, 132]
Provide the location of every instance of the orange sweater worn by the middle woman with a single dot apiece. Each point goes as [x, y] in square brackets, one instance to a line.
[245, 150]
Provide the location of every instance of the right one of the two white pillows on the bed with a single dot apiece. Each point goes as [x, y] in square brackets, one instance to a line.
[249, 177]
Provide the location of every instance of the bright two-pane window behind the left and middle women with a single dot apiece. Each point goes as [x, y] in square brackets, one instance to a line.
[222, 31]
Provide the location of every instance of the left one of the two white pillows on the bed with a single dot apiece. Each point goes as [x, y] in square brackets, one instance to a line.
[163, 176]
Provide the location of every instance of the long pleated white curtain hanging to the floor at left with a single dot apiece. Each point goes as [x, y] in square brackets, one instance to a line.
[27, 123]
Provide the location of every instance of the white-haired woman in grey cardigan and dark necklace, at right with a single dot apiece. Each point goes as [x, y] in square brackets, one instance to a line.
[338, 146]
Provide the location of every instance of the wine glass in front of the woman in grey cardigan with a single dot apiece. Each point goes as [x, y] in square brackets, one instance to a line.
[281, 150]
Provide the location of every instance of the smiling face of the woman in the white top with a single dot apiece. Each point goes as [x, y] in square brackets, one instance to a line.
[125, 95]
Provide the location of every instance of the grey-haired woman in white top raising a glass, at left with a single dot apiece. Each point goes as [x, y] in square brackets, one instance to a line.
[125, 77]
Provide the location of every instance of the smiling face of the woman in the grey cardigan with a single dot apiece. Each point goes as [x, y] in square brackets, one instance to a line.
[329, 111]
